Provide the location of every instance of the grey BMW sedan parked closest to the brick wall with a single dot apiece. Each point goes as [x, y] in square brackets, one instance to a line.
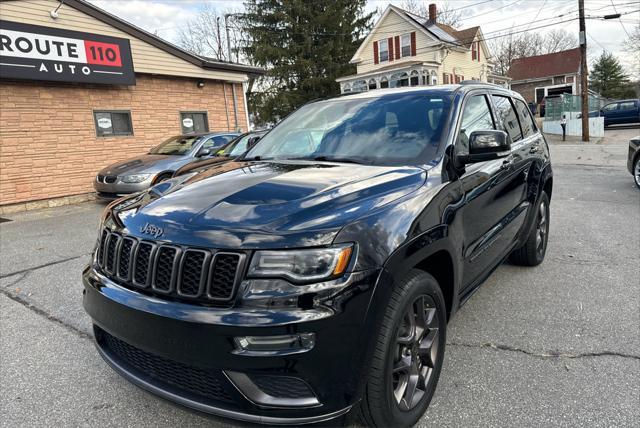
[141, 172]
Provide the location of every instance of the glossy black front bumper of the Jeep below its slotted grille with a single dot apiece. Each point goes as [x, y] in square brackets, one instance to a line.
[137, 334]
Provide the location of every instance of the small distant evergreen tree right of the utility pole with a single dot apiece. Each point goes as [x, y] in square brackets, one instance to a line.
[607, 77]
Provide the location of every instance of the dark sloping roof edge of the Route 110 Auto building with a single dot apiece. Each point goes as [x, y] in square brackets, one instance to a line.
[122, 25]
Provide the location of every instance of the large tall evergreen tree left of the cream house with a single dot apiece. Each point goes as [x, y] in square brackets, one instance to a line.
[305, 46]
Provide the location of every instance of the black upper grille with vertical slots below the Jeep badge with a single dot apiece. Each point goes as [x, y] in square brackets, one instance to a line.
[187, 273]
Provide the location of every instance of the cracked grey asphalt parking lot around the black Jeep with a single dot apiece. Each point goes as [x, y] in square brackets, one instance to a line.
[557, 345]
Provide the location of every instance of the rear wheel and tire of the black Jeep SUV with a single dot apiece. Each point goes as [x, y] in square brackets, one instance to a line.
[535, 247]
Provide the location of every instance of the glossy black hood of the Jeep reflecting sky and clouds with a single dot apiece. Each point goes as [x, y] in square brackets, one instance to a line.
[262, 204]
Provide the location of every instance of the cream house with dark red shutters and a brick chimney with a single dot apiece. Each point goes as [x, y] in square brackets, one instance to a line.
[404, 49]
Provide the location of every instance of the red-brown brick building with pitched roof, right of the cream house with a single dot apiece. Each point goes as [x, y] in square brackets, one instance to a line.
[540, 76]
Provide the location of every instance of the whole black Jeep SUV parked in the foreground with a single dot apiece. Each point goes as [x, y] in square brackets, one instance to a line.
[316, 274]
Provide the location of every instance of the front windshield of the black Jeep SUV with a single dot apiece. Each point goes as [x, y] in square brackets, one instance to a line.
[392, 129]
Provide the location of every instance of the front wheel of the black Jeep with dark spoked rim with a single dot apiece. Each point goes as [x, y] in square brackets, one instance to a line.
[408, 356]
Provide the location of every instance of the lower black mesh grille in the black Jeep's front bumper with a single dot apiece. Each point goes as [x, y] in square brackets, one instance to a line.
[193, 380]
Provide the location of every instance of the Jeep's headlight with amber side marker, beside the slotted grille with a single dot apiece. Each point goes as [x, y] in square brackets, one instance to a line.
[301, 265]
